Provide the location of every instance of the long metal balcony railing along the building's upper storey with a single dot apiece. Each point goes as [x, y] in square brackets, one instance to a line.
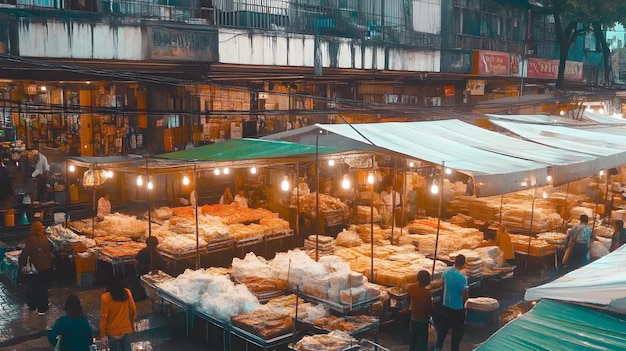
[389, 21]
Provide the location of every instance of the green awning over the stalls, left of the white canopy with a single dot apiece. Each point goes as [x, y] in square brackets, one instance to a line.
[245, 149]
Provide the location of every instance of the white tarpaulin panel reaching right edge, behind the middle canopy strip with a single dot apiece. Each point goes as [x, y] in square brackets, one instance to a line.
[610, 148]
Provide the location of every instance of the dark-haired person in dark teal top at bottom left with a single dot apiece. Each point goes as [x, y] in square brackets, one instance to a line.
[73, 329]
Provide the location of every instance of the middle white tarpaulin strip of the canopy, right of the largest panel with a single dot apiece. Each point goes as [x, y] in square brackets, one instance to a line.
[567, 165]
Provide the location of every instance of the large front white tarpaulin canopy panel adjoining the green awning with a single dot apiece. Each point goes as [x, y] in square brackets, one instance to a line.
[493, 173]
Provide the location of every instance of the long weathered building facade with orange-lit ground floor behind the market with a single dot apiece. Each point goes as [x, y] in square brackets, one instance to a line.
[109, 77]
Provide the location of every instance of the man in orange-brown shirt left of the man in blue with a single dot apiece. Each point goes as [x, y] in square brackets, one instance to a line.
[422, 309]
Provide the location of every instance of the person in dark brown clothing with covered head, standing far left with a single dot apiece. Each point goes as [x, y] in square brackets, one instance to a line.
[35, 262]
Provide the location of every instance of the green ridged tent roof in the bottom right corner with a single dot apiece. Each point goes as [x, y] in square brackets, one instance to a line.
[553, 325]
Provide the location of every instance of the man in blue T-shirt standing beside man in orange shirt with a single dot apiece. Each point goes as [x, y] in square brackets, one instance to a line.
[454, 296]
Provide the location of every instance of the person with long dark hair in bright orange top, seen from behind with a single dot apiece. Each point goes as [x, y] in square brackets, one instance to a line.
[117, 315]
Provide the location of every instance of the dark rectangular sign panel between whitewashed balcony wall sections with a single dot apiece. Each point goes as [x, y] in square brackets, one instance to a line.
[183, 44]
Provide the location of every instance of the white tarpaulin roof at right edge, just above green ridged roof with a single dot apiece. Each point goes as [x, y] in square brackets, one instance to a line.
[601, 283]
